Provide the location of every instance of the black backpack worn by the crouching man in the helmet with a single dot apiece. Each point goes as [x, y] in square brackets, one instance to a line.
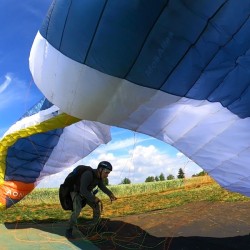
[71, 181]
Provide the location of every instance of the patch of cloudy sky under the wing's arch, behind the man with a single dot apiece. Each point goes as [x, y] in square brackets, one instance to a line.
[132, 159]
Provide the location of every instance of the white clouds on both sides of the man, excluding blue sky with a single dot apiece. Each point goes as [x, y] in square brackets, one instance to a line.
[137, 165]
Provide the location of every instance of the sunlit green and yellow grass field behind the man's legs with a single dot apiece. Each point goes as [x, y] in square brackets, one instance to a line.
[42, 205]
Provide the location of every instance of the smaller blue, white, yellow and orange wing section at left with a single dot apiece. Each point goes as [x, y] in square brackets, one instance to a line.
[44, 142]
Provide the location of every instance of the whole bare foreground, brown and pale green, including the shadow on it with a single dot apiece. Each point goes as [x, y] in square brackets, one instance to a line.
[195, 226]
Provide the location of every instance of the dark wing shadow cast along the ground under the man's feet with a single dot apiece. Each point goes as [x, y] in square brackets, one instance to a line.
[120, 235]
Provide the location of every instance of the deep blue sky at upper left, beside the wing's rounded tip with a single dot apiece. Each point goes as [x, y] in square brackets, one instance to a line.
[20, 21]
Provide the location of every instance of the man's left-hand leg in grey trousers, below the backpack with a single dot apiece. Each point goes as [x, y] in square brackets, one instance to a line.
[77, 207]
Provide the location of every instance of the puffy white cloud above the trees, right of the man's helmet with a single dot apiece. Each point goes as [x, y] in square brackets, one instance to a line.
[150, 161]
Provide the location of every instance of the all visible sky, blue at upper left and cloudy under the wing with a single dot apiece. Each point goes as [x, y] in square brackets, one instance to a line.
[133, 155]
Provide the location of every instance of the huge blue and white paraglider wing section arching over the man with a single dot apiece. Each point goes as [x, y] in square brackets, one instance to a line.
[176, 70]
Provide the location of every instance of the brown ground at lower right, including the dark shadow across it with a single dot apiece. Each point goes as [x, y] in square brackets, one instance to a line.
[200, 225]
